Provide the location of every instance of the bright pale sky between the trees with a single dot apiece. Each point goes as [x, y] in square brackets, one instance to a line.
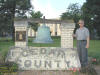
[52, 9]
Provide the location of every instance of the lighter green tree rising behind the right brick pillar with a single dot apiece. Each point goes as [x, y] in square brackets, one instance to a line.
[73, 12]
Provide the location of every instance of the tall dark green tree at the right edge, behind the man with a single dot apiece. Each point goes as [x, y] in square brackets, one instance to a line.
[91, 12]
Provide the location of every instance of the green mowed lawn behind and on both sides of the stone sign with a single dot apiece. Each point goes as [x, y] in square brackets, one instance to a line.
[93, 51]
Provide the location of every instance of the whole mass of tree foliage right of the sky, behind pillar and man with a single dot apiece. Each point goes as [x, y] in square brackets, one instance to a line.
[90, 12]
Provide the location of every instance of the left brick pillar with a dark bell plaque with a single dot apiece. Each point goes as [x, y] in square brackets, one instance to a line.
[21, 36]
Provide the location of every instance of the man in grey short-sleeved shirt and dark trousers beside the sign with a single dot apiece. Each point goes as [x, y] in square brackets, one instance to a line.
[82, 36]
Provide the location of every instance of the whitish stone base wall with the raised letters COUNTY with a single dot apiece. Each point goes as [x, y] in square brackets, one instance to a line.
[47, 58]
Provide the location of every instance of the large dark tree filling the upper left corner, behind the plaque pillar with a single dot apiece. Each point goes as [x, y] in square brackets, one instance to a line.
[10, 8]
